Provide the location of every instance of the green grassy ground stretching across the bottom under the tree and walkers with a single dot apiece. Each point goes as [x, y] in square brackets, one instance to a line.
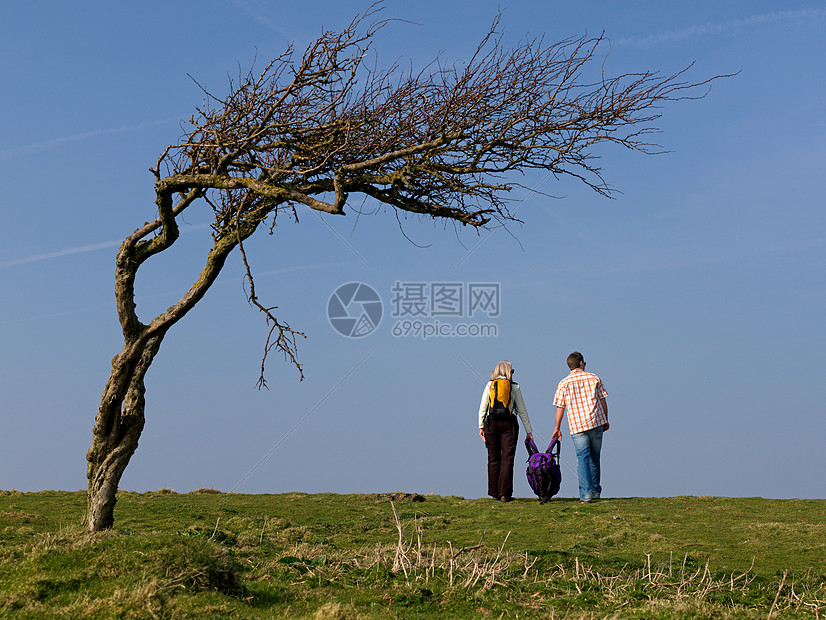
[204, 554]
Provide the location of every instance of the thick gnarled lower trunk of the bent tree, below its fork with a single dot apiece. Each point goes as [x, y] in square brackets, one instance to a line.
[118, 427]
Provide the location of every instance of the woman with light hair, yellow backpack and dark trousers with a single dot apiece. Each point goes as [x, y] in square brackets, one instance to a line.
[501, 403]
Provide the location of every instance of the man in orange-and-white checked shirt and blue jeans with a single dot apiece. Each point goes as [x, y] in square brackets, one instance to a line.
[583, 396]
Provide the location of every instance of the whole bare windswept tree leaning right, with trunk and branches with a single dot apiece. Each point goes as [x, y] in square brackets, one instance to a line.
[444, 142]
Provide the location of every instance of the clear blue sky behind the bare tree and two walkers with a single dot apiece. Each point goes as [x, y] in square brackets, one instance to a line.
[697, 293]
